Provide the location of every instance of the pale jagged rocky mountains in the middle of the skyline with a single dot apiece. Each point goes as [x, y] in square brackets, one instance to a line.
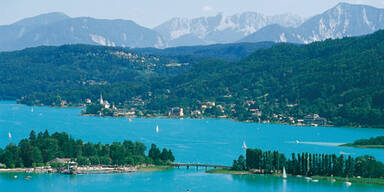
[220, 28]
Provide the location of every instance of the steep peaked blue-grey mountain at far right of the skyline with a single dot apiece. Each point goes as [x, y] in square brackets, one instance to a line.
[344, 20]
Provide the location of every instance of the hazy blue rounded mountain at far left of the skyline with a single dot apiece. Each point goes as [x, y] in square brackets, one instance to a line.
[59, 29]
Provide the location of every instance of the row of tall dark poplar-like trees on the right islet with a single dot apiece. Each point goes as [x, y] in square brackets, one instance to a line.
[310, 164]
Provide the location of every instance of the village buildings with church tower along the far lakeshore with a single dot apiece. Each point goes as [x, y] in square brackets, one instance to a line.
[209, 109]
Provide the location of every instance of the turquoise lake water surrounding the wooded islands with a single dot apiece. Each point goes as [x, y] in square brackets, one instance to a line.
[210, 141]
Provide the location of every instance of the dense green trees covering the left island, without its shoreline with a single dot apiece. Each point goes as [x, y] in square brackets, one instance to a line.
[39, 149]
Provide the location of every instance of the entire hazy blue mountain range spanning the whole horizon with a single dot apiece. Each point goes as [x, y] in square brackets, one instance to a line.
[58, 29]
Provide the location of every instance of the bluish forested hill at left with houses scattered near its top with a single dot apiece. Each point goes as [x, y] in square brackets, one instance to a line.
[45, 69]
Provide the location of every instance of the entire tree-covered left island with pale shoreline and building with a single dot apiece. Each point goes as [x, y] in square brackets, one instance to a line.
[60, 153]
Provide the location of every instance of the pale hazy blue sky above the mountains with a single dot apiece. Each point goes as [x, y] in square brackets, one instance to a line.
[150, 13]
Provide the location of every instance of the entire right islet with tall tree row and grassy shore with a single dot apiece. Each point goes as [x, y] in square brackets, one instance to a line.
[313, 167]
